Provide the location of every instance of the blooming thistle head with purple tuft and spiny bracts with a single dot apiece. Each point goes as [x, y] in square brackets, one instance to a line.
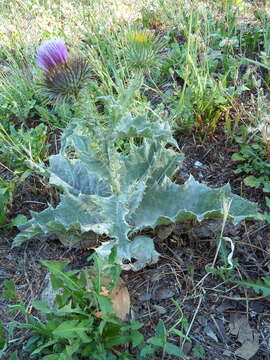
[63, 77]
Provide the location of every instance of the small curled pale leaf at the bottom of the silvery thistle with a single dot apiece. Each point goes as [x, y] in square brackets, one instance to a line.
[138, 253]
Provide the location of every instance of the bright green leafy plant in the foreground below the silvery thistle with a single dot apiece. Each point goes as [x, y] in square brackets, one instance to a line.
[81, 321]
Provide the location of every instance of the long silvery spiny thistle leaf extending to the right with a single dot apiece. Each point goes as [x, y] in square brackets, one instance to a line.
[168, 202]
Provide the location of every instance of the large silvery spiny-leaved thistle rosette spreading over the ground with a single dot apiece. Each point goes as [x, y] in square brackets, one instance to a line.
[121, 194]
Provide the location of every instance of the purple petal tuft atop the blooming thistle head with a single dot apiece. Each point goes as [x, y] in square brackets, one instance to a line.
[51, 53]
